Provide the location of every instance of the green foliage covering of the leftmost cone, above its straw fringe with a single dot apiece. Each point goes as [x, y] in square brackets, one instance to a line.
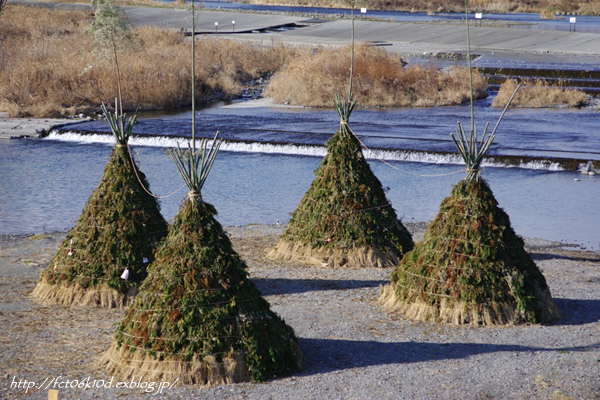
[119, 226]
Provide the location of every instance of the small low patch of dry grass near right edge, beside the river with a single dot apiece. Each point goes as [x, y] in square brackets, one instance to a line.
[538, 94]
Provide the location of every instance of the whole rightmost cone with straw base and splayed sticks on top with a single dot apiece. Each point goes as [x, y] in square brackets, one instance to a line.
[471, 268]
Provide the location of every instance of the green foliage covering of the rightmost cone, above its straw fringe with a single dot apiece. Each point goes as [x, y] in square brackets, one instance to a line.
[470, 253]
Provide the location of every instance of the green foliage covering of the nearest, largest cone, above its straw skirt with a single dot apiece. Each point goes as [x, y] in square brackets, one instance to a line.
[198, 301]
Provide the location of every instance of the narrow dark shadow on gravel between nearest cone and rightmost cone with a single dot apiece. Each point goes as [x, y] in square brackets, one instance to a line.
[270, 287]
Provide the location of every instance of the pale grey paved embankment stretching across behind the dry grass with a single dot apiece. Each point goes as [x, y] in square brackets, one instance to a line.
[397, 35]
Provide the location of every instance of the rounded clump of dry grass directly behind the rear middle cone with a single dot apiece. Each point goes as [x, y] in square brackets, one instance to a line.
[380, 80]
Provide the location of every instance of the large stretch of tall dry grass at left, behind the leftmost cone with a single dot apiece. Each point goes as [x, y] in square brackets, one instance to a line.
[49, 67]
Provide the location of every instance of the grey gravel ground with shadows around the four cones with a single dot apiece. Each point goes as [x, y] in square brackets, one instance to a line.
[353, 349]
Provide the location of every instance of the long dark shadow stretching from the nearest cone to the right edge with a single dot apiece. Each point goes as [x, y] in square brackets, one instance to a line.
[328, 355]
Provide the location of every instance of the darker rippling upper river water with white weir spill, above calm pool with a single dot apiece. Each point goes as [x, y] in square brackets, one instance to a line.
[551, 139]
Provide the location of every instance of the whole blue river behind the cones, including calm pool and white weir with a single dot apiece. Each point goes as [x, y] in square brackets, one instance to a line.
[268, 163]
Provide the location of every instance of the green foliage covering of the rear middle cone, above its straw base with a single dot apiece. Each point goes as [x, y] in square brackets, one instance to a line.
[345, 206]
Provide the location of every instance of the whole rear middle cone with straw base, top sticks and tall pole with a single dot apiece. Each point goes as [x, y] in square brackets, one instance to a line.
[344, 219]
